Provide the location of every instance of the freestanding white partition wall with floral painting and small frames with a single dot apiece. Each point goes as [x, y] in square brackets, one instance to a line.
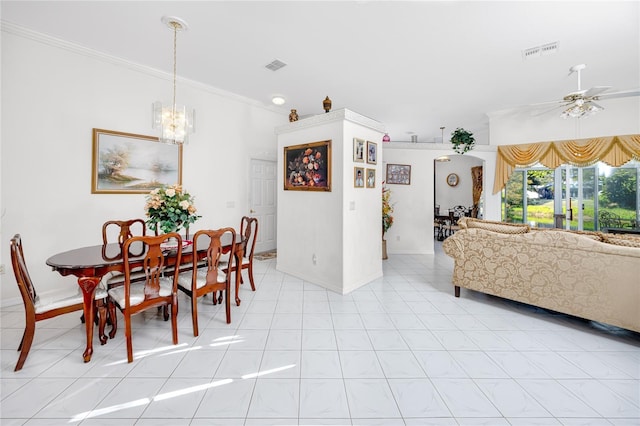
[332, 239]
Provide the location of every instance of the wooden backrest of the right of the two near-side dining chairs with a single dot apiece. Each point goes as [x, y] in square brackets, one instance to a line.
[216, 242]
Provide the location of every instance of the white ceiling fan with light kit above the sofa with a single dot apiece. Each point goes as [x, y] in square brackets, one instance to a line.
[581, 103]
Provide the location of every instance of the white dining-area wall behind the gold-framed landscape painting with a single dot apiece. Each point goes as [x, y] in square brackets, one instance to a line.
[53, 94]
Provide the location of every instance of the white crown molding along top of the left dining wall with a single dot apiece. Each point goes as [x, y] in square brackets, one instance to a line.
[20, 31]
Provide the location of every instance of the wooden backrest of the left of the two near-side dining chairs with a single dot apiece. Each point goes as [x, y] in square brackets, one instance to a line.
[154, 262]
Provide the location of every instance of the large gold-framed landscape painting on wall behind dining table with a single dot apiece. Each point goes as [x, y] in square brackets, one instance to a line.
[126, 163]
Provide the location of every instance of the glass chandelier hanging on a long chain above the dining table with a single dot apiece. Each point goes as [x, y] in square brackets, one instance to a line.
[174, 122]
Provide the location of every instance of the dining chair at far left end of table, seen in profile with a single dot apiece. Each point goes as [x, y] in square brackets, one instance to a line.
[41, 308]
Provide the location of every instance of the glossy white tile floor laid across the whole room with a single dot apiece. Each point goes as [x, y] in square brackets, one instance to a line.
[399, 351]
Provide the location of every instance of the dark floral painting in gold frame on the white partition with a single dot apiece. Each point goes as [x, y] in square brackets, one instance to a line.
[307, 167]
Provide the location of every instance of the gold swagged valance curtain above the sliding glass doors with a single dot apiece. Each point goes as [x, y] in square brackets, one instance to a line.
[613, 150]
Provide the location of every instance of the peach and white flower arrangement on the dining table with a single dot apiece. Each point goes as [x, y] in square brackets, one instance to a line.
[170, 208]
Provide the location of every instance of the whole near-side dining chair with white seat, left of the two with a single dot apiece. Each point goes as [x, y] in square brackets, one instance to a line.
[155, 290]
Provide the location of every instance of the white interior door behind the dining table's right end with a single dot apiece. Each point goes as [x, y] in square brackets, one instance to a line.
[262, 203]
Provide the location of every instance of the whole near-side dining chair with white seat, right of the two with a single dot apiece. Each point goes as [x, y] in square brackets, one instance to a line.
[213, 276]
